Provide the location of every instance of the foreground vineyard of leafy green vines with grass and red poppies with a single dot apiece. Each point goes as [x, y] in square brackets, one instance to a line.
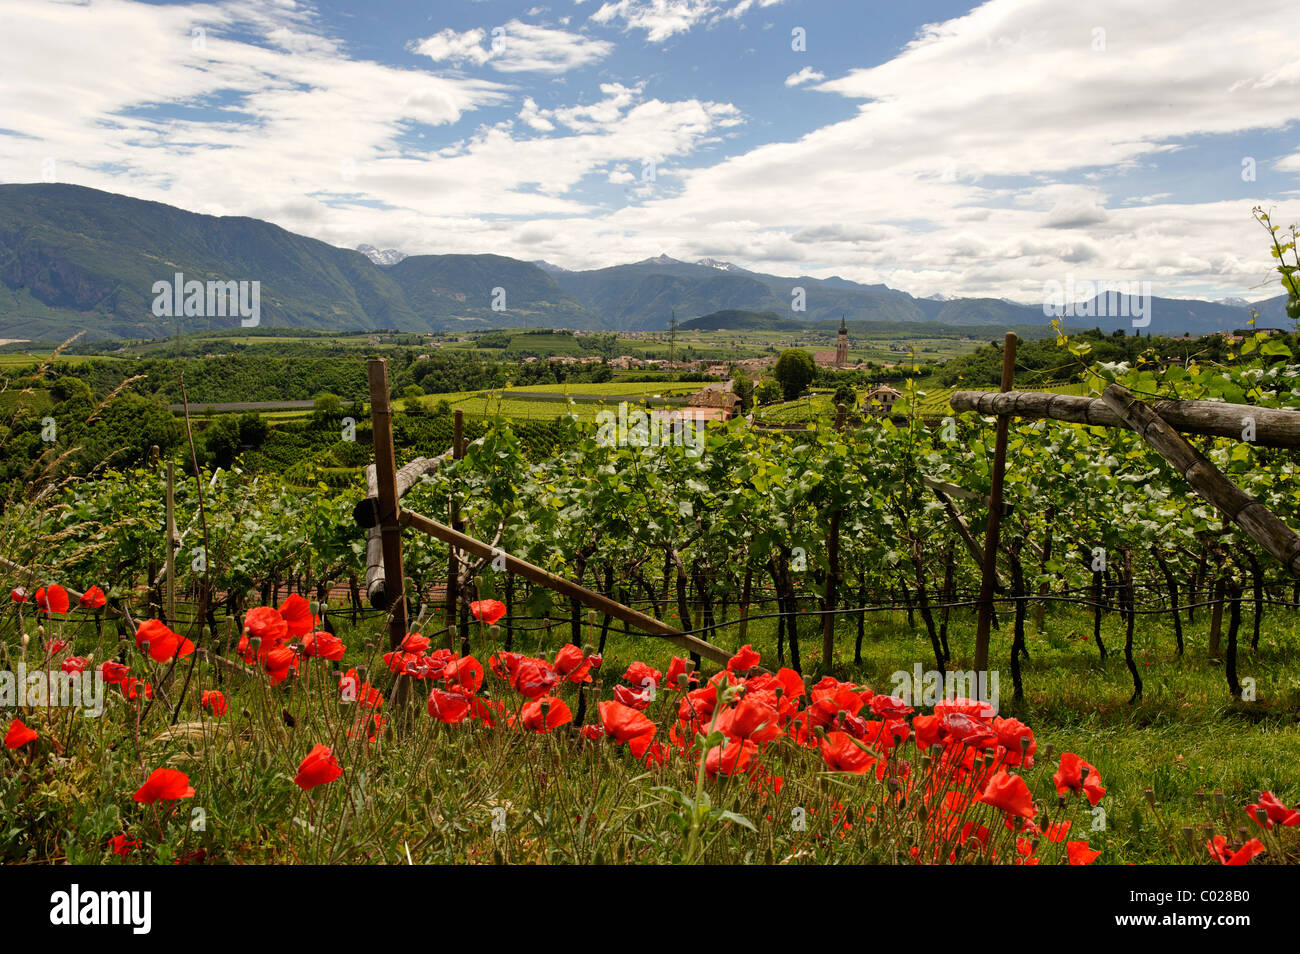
[826, 593]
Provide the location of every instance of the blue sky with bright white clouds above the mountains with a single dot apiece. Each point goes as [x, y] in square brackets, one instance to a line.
[941, 149]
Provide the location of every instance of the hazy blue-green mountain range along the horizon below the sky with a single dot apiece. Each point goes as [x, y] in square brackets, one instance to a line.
[76, 259]
